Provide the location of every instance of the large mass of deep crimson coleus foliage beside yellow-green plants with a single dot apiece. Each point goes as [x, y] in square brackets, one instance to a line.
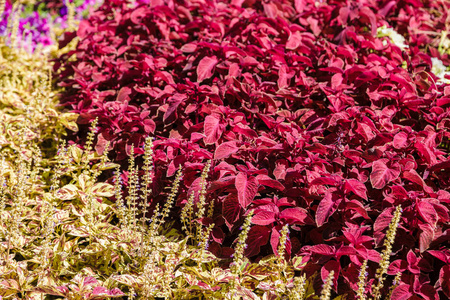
[309, 118]
